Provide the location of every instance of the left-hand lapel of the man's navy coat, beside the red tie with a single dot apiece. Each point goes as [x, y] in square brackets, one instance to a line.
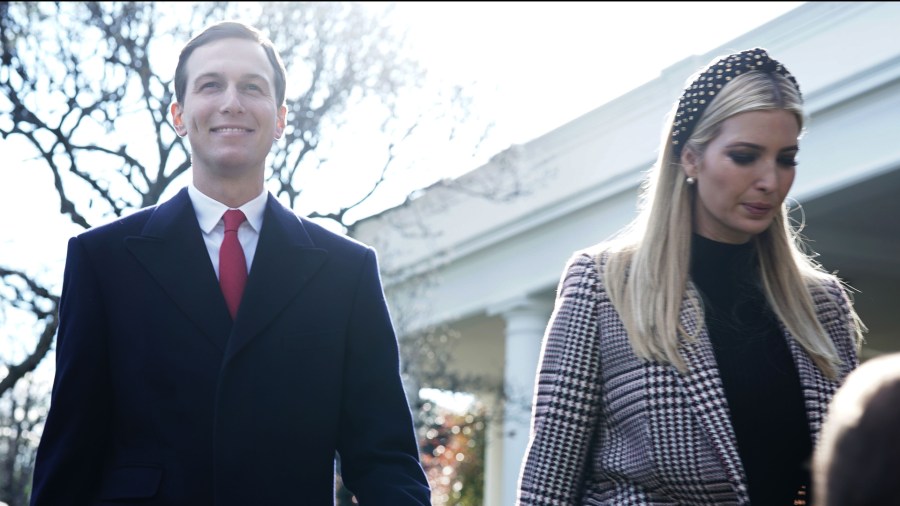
[172, 250]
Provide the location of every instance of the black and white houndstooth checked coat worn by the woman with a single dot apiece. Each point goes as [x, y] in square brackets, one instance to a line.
[610, 428]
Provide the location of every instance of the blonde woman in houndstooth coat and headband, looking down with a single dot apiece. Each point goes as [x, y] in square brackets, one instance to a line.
[691, 359]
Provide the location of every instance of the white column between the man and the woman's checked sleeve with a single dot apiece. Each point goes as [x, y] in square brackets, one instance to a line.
[526, 319]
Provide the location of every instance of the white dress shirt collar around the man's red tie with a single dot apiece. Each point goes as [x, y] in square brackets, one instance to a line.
[209, 216]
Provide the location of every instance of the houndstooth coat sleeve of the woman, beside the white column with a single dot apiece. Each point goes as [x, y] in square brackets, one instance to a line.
[567, 393]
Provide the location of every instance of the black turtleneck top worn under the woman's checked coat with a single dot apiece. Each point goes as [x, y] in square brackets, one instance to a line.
[761, 382]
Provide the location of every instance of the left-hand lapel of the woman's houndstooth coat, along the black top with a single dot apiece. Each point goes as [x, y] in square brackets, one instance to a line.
[707, 396]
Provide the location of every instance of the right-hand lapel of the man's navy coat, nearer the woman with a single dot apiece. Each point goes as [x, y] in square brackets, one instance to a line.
[285, 260]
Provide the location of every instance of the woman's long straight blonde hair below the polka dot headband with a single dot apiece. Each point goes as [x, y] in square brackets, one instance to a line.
[647, 267]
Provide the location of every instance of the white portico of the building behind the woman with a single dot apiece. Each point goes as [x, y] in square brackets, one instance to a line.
[492, 267]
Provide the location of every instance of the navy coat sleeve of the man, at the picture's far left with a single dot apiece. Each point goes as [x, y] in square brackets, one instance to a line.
[76, 435]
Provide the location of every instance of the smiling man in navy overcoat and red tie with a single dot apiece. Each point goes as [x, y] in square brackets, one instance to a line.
[173, 390]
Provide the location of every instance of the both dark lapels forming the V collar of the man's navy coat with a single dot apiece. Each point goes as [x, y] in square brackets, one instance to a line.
[171, 248]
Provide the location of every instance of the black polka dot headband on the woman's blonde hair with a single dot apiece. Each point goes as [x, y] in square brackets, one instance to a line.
[703, 90]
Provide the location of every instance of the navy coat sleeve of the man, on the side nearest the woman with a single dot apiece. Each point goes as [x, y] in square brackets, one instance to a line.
[378, 450]
